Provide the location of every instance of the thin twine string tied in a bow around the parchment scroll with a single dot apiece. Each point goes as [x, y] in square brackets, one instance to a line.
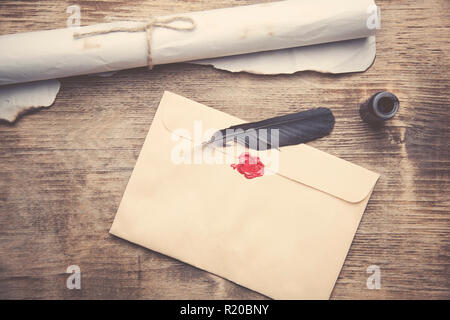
[146, 27]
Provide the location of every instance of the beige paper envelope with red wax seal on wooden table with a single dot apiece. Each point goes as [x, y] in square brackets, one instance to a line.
[285, 235]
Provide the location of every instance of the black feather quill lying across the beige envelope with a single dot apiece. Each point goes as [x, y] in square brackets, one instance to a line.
[280, 131]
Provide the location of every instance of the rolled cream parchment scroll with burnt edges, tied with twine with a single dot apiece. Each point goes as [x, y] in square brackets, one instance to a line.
[317, 29]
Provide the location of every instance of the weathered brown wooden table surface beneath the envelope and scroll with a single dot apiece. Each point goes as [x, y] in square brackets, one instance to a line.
[64, 169]
